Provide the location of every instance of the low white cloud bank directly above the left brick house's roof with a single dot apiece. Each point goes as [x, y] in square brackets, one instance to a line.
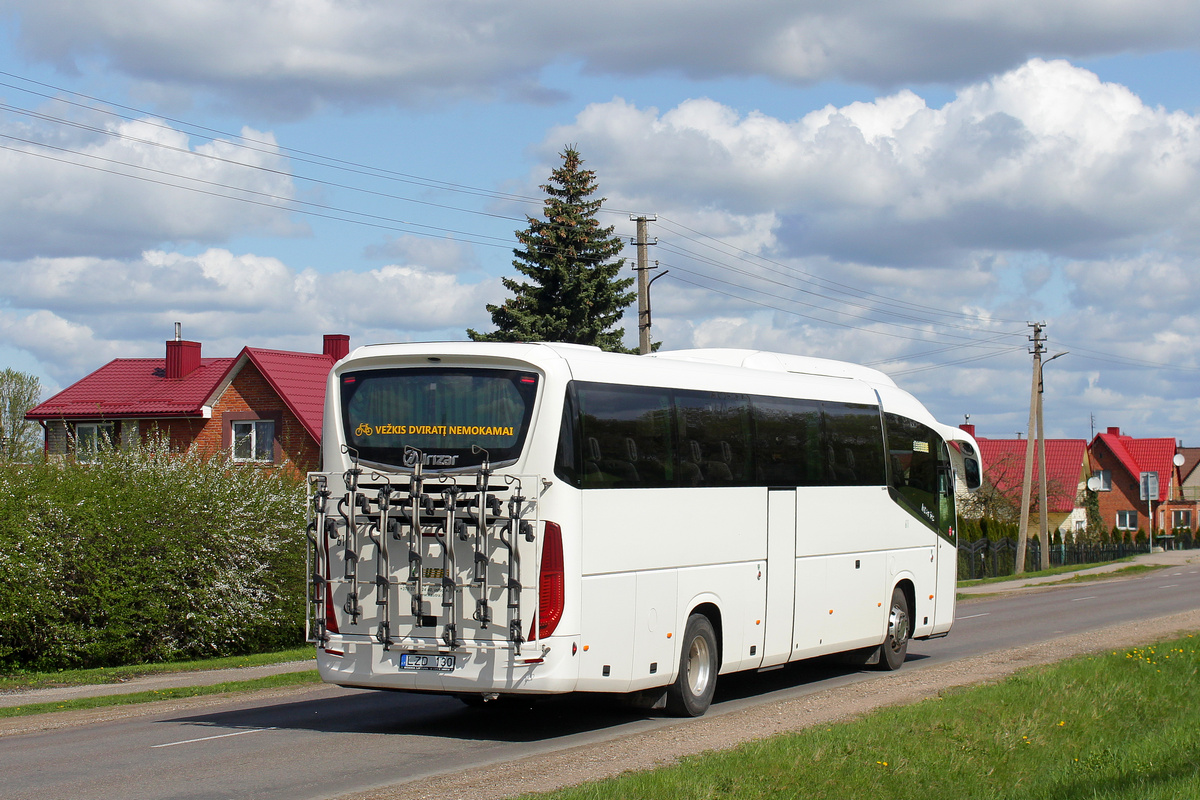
[75, 315]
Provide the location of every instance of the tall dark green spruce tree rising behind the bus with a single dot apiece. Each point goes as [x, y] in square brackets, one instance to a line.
[573, 293]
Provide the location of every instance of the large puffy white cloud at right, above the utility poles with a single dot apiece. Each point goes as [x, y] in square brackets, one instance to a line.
[1045, 158]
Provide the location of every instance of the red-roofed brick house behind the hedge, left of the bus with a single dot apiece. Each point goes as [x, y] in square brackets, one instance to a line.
[262, 407]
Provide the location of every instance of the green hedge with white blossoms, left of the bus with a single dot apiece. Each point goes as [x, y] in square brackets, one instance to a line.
[147, 556]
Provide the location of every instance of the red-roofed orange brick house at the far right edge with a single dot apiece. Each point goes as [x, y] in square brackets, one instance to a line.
[1118, 465]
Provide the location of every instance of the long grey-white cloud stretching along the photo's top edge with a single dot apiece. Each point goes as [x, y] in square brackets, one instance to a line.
[299, 56]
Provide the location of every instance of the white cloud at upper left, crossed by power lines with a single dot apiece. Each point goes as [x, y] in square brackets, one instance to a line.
[104, 188]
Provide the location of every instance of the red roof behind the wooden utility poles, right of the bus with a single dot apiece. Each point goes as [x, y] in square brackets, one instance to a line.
[1005, 468]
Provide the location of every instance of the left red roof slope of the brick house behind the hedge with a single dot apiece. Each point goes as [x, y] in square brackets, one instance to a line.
[135, 388]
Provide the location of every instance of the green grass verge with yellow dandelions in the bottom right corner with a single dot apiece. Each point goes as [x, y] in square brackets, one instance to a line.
[1119, 726]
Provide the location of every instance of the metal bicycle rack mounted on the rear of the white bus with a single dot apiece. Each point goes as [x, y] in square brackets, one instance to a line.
[471, 519]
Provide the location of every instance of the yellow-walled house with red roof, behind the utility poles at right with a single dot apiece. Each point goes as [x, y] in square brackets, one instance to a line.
[1067, 472]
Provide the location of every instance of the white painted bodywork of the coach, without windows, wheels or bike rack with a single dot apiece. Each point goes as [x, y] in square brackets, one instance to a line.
[790, 574]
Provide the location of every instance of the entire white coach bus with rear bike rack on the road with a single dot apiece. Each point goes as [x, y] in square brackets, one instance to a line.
[502, 520]
